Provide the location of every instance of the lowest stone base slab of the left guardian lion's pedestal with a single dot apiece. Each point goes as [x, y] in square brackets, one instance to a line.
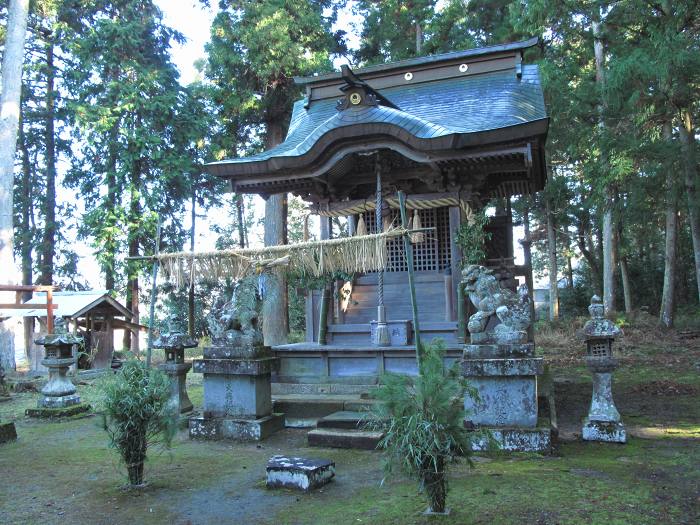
[237, 429]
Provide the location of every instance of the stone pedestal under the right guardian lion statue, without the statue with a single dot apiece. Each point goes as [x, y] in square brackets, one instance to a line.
[505, 378]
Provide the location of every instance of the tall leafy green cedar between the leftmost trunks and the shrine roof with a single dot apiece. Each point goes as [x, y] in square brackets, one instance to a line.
[130, 113]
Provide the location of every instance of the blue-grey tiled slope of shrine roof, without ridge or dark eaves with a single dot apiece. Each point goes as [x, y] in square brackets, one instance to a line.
[461, 105]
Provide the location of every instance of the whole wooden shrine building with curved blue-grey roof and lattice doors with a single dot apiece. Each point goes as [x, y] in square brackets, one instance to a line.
[453, 131]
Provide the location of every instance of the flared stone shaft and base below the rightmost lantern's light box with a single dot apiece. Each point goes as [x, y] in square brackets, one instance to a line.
[603, 422]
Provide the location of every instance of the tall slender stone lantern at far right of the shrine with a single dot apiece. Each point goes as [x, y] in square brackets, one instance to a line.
[603, 422]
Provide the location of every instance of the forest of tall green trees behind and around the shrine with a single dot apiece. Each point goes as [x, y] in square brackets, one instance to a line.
[111, 143]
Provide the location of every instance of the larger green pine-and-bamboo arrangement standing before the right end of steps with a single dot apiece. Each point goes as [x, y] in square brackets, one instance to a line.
[423, 421]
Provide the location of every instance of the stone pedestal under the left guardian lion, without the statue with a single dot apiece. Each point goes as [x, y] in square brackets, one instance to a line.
[237, 396]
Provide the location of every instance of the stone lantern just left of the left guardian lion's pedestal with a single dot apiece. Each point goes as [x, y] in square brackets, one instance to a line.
[174, 343]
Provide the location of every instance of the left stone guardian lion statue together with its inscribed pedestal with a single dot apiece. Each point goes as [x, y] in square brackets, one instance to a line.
[237, 368]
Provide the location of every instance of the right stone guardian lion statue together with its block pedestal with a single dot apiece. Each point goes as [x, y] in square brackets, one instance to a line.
[500, 363]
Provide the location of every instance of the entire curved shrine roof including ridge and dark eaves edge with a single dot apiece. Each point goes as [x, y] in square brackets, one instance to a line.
[453, 101]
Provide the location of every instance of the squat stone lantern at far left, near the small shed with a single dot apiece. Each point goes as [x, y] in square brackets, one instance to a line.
[59, 397]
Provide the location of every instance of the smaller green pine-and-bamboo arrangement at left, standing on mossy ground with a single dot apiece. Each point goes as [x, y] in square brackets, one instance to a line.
[137, 414]
